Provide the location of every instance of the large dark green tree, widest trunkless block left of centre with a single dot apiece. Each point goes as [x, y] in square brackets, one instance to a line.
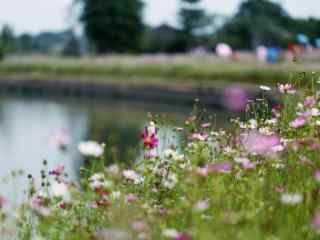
[113, 26]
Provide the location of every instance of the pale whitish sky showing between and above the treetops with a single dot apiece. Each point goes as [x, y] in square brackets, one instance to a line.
[39, 15]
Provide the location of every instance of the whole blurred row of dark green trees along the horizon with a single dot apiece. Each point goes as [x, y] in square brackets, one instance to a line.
[118, 27]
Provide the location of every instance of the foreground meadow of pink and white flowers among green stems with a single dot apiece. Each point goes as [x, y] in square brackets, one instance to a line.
[257, 179]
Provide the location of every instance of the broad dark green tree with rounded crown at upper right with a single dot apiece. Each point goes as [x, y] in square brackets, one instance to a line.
[263, 22]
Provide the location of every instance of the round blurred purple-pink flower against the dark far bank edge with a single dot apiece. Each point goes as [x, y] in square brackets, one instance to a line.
[235, 98]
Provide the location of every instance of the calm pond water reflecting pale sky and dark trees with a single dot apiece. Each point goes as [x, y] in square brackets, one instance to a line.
[28, 124]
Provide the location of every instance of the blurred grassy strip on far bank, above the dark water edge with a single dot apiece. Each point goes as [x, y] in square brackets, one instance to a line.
[148, 70]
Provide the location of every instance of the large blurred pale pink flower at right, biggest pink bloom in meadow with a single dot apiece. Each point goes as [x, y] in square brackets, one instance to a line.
[256, 143]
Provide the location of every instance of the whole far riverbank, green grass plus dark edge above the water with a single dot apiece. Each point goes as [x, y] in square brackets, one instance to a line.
[174, 80]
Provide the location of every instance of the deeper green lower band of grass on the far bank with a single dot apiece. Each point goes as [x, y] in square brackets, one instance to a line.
[166, 74]
